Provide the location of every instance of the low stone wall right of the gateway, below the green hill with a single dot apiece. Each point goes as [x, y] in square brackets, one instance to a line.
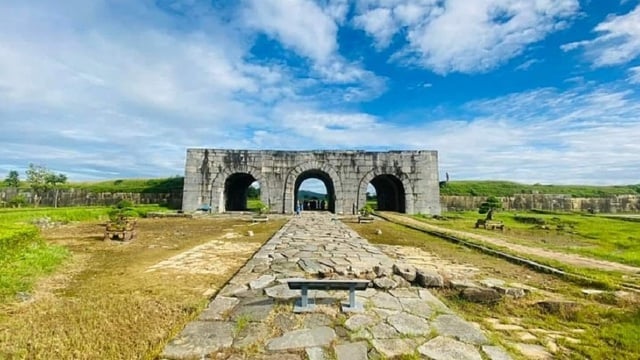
[521, 202]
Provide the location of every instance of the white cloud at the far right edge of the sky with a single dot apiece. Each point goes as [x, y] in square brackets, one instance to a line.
[618, 40]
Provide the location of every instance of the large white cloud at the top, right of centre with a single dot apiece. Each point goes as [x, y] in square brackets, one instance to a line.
[463, 36]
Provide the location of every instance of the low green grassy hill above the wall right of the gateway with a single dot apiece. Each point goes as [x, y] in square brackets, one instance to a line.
[507, 188]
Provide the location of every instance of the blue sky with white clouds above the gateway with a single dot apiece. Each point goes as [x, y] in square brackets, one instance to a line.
[544, 91]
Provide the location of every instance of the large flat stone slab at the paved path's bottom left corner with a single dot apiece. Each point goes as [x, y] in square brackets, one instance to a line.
[198, 339]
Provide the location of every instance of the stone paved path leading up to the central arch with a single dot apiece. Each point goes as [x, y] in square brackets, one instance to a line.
[252, 317]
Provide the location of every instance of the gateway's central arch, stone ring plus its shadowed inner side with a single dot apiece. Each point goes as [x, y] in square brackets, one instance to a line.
[312, 169]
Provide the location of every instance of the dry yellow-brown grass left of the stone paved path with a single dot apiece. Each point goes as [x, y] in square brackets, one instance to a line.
[104, 303]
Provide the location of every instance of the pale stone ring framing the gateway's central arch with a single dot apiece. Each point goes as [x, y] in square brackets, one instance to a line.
[288, 203]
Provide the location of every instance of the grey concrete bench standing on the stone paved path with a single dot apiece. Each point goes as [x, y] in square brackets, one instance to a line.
[305, 285]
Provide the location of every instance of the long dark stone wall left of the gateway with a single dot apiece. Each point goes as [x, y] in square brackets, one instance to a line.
[75, 197]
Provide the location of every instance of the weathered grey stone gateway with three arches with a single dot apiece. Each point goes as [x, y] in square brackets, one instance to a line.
[405, 181]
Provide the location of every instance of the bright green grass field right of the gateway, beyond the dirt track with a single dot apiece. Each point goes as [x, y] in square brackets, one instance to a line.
[594, 236]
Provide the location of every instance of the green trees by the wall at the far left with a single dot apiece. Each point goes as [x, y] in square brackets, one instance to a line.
[40, 180]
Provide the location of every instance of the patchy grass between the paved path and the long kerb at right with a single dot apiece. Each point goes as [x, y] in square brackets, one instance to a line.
[602, 327]
